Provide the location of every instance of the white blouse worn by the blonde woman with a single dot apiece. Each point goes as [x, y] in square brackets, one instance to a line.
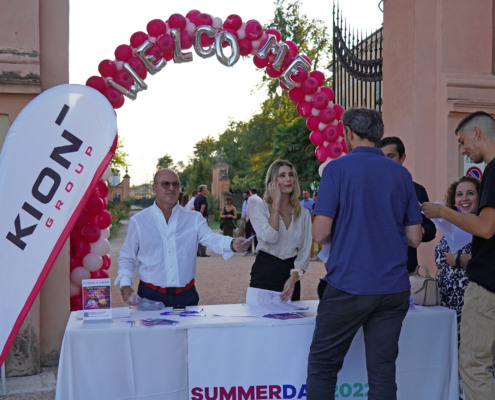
[284, 243]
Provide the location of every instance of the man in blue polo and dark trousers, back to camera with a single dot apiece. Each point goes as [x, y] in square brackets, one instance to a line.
[367, 208]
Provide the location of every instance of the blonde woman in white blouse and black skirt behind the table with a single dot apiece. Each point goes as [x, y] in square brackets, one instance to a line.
[283, 230]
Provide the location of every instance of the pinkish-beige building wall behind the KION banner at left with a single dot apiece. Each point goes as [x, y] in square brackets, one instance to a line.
[34, 56]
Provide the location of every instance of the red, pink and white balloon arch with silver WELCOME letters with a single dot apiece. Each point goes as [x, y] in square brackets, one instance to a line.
[166, 41]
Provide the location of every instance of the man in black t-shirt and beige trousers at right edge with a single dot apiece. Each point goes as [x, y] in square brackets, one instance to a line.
[476, 136]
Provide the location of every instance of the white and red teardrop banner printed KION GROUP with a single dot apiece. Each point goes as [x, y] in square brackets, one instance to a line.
[53, 156]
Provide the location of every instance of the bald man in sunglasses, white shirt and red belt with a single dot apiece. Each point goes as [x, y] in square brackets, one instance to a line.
[161, 243]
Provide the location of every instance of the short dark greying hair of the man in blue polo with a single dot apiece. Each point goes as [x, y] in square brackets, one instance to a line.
[364, 122]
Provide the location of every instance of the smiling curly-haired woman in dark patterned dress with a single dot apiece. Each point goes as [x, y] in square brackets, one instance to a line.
[452, 280]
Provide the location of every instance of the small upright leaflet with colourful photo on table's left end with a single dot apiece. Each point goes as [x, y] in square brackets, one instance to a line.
[97, 299]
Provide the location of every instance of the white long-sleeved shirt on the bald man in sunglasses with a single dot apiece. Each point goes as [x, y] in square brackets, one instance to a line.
[165, 253]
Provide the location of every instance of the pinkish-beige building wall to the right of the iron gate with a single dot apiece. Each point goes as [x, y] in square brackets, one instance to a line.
[438, 63]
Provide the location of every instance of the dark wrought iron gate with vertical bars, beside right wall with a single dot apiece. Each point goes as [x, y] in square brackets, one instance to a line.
[356, 66]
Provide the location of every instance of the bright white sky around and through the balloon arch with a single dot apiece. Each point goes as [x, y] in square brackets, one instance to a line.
[184, 103]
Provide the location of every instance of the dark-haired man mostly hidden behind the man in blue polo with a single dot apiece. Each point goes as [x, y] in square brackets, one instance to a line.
[393, 148]
